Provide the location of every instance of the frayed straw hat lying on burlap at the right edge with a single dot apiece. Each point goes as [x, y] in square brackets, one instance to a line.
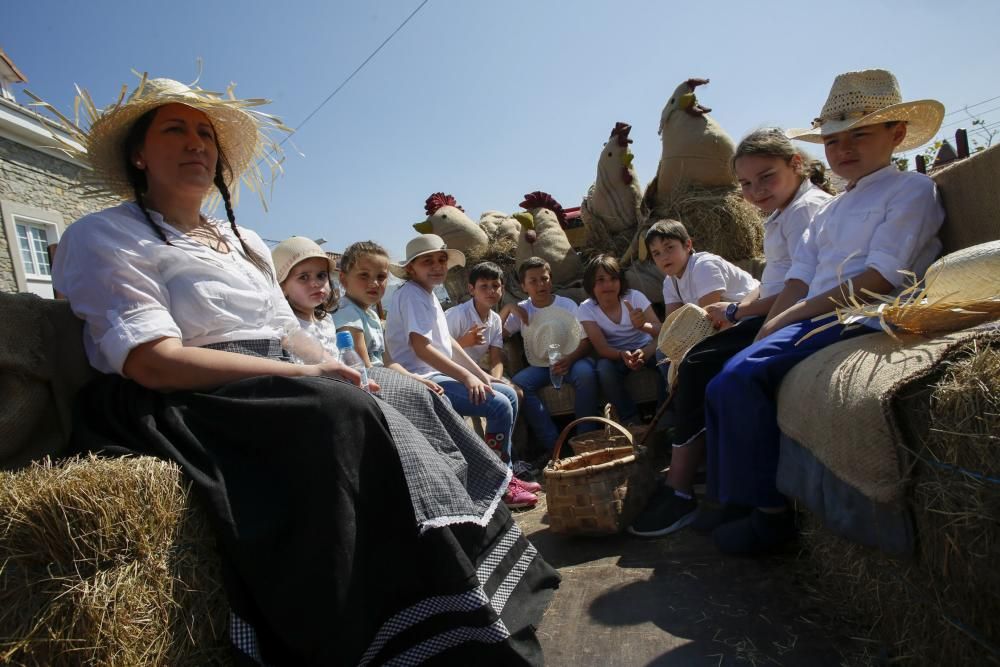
[959, 290]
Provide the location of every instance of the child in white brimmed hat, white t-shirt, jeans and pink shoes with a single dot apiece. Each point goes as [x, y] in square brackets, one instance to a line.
[418, 338]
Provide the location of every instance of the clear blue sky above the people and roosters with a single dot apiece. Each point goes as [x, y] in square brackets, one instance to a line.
[491, 100]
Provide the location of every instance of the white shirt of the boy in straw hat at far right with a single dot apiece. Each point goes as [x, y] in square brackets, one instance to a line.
[889, 221]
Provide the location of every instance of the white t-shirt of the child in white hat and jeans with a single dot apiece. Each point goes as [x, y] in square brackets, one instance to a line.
[415, 310]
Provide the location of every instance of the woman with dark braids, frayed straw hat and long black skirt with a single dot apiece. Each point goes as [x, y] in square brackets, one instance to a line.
[335, 517]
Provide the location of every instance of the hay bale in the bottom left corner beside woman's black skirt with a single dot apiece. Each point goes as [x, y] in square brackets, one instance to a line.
[107, 561]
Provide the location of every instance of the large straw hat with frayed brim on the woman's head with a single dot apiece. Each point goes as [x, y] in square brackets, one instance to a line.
[242, 133]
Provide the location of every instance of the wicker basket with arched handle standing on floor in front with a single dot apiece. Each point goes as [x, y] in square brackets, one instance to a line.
[599, 492]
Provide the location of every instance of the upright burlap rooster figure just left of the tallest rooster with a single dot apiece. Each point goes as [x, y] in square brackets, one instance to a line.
[612, 205]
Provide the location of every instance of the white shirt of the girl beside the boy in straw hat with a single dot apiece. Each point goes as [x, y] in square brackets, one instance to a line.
[783, 233]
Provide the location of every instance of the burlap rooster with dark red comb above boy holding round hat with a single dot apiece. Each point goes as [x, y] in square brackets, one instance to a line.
[542, 235]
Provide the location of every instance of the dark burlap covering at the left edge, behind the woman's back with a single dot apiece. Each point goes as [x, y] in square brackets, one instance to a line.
[42, 366]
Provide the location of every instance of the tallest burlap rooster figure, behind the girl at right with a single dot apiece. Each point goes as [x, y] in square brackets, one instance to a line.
[696, 150]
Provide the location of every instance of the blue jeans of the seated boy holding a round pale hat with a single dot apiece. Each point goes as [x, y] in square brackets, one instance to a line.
[584, 380]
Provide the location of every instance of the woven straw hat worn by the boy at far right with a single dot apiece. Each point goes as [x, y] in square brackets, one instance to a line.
[870, 97]
